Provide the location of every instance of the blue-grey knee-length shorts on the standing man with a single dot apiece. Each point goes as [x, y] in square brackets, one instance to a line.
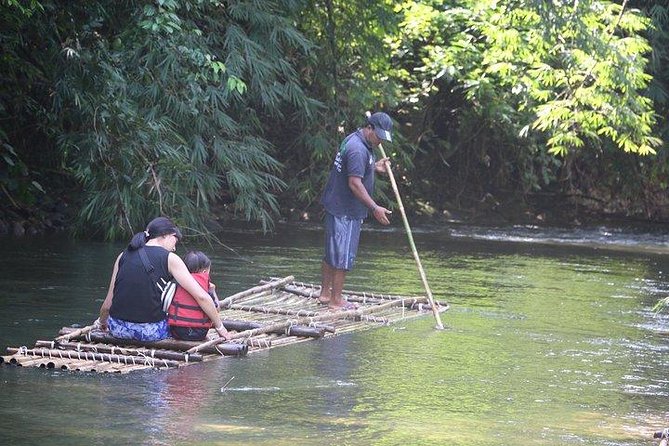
[342, 235]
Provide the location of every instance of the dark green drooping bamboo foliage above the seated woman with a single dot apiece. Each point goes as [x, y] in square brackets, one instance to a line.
[160, 108]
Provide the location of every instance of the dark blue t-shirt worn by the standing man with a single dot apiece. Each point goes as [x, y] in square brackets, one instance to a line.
[355, 158]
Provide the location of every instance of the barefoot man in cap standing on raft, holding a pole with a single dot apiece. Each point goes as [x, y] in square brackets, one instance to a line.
[347, 199]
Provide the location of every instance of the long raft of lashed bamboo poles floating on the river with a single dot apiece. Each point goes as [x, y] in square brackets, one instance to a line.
[277, 312]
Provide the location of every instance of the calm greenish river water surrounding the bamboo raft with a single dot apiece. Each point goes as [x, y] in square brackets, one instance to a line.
[550, 340]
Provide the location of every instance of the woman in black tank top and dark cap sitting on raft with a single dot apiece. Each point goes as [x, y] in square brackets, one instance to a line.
[132, 308]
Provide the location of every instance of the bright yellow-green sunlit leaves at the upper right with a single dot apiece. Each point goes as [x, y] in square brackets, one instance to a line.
[577, 70]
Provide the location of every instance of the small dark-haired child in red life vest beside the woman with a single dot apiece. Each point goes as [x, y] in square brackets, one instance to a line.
[186, 319]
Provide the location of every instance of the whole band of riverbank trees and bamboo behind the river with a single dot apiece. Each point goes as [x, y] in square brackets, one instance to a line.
[114, 112]
